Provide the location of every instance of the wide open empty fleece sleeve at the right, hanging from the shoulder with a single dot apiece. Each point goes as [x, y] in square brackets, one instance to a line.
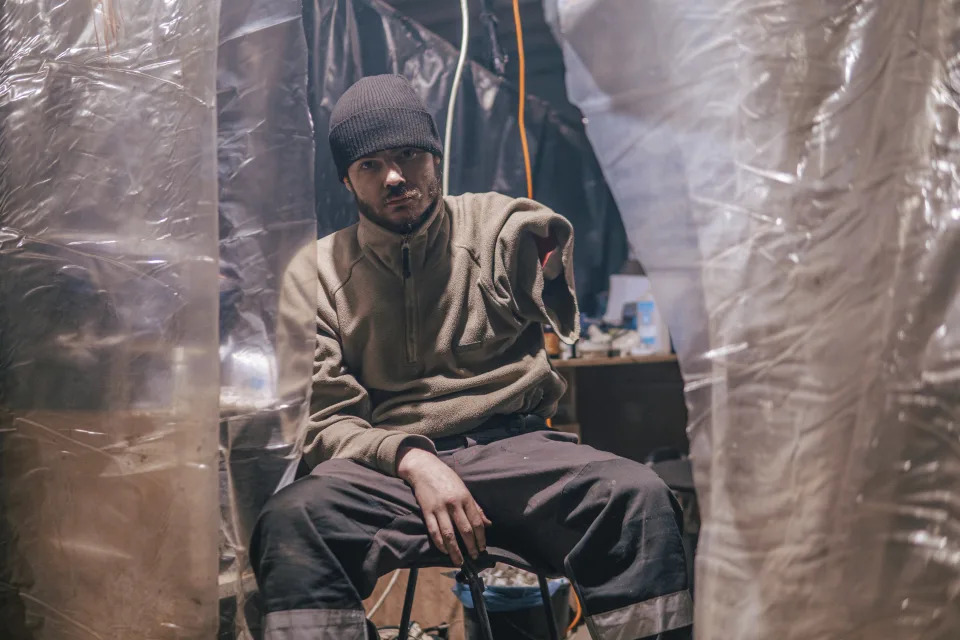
[533, 267]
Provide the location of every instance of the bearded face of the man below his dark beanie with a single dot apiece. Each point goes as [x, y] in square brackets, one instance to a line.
[396, 188]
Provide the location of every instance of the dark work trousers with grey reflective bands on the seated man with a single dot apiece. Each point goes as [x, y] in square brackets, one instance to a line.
[609, 524]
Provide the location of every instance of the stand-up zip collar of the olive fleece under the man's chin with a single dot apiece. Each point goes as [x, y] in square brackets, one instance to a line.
[405, 255]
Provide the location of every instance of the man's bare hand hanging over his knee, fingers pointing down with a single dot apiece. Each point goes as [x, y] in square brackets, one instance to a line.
[446, 503]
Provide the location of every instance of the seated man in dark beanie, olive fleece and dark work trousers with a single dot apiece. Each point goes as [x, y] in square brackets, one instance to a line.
[430, 392]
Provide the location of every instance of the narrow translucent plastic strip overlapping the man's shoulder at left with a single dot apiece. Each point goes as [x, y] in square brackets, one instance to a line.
[268, 282]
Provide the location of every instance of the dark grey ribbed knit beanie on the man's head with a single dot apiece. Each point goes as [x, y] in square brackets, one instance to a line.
[378, 113]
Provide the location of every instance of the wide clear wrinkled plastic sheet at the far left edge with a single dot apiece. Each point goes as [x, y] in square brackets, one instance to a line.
[108, 335]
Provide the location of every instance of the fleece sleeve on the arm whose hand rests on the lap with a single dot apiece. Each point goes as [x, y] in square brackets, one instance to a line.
[339, 423]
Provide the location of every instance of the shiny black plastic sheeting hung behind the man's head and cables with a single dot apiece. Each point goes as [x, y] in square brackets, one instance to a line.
[350, 39]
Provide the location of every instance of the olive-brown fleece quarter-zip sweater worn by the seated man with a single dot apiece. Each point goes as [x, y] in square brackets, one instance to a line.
[431, 334]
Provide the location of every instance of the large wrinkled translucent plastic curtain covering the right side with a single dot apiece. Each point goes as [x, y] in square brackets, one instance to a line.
[788, 173]
